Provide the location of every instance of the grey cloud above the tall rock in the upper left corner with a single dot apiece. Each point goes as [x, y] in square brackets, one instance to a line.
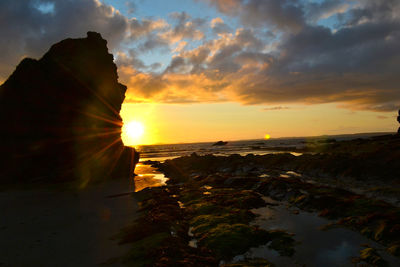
[28, 29]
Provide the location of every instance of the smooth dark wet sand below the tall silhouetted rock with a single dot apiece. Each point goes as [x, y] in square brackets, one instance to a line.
[53, 227]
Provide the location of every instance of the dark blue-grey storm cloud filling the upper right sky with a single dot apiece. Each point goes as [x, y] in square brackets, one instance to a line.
[356, 64]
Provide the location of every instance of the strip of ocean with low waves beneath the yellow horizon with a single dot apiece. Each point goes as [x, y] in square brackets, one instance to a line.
[244, 147]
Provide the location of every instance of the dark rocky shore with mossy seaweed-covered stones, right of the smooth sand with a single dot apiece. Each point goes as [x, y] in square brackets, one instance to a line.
[205, 215]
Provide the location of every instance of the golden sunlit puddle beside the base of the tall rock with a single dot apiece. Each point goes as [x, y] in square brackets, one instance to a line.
[148, 176]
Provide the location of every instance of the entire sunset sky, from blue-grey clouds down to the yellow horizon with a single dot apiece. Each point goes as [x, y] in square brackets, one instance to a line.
[209, 70]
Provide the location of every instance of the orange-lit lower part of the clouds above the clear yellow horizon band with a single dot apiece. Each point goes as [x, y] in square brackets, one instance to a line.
[234, 67]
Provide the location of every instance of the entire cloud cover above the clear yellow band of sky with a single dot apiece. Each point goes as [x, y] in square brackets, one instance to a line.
[280, 53]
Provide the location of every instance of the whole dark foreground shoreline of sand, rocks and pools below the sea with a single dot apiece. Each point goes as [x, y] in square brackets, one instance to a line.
[212, 209]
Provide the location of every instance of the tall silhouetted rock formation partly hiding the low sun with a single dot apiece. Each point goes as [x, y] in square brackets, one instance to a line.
[60, 115]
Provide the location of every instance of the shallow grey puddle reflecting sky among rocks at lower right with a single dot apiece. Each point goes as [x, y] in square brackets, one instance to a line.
[334, 247]
